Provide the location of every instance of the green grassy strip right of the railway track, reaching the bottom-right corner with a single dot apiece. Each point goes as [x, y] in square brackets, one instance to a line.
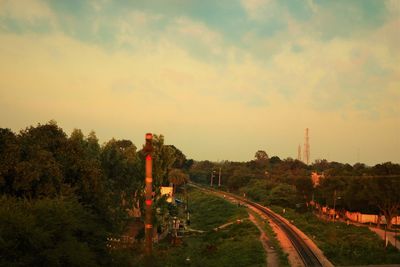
[344, 244]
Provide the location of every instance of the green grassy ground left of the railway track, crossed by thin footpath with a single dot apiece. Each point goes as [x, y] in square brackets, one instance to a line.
[235, 245]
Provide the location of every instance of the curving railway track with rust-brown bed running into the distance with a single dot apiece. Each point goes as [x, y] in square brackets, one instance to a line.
[305, 252]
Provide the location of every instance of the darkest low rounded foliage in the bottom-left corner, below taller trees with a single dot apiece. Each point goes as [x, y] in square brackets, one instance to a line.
[49, 232]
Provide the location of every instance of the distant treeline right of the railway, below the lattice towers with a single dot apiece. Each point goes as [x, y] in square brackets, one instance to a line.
[288, 183]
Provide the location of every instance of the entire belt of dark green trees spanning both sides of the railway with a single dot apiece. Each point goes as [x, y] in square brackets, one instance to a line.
[62, 196]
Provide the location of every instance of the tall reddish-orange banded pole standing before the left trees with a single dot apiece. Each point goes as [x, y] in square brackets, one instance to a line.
[148, 149]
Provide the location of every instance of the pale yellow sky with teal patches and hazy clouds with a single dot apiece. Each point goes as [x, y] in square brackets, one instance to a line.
[219, 79]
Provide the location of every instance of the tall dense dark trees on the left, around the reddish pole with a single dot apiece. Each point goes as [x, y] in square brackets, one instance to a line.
[62, 196]
